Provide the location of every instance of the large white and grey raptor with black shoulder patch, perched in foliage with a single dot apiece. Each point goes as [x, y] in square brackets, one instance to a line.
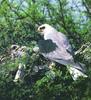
[56, 47]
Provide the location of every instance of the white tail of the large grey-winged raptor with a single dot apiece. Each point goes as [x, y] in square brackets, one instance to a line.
[76, 71]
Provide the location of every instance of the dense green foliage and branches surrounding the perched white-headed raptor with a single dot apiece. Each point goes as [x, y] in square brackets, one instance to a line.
[19, 20]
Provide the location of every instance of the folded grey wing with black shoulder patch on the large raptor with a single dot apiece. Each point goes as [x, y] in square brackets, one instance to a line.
[50, 50]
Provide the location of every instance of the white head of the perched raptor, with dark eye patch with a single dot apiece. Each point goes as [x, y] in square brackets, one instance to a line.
[46, 29]
